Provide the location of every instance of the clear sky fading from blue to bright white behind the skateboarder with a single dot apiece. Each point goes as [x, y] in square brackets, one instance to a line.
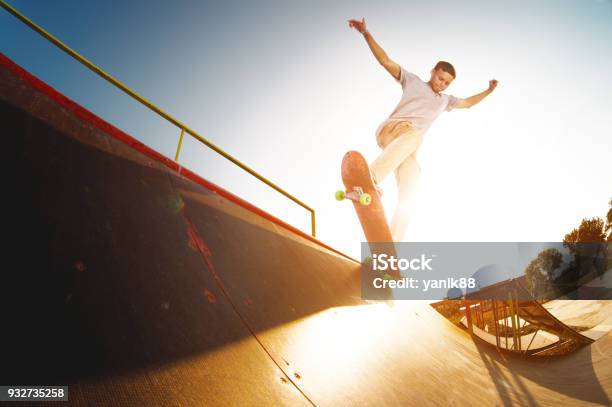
[288, 88]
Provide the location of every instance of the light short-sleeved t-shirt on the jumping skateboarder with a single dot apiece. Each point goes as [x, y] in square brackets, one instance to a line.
[419, 104]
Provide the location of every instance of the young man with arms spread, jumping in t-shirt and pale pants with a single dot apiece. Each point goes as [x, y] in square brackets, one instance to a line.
[402, 133]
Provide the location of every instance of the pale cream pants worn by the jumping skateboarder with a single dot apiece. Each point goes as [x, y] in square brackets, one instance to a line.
[400, 142]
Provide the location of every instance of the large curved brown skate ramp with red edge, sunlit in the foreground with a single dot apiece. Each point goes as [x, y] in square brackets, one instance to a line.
[135, 282]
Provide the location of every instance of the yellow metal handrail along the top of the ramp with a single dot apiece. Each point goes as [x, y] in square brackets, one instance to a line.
[154, 108]
